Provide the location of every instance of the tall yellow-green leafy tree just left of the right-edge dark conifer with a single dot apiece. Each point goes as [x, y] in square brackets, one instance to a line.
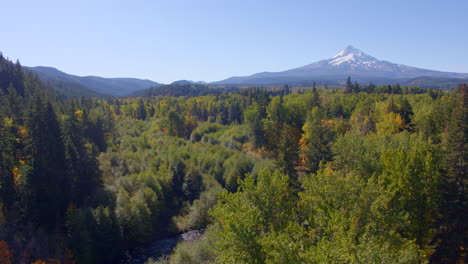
[411, 178]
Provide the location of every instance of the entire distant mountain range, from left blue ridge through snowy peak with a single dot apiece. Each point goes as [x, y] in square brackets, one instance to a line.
[349, 61]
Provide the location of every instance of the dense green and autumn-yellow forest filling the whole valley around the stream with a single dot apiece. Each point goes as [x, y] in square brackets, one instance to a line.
[361, 175]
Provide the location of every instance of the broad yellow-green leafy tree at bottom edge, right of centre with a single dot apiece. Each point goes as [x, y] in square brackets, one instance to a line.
[343, 225]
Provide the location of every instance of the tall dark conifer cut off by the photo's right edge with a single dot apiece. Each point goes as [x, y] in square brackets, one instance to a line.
[453, 225]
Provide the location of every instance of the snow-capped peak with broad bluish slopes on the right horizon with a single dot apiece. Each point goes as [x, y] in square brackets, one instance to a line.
[347, 62]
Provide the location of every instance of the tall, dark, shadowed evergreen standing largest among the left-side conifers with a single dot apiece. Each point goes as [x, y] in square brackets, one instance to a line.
[47, 184]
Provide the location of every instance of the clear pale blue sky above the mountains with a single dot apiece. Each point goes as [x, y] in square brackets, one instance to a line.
[211, 40]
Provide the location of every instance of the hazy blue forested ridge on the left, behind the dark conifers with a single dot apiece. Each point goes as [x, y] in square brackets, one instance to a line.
[98, 85]
